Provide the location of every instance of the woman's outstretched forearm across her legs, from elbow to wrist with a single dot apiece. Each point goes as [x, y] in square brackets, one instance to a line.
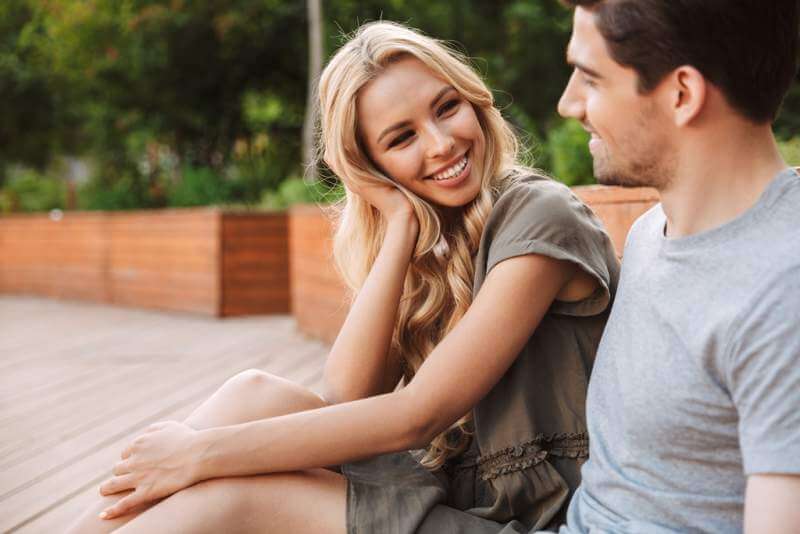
[316, 438]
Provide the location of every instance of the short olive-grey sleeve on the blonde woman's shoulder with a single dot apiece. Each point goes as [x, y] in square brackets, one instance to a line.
[545, 217]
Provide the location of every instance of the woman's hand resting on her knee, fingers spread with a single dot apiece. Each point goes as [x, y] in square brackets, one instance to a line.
[155, 465]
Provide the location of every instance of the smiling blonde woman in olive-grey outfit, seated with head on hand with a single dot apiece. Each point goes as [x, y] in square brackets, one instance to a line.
[455, 390]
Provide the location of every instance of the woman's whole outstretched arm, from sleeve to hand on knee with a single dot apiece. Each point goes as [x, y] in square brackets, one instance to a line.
[455, 376]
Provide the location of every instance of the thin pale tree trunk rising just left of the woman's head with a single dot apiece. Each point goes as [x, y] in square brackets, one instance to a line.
[314, 69]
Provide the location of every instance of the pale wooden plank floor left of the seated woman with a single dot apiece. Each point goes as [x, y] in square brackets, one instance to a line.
[78, 381]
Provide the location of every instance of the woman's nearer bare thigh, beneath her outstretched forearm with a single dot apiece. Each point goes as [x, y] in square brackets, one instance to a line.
[309, 501]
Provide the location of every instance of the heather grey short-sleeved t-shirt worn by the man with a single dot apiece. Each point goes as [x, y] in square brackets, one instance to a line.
[697, 379]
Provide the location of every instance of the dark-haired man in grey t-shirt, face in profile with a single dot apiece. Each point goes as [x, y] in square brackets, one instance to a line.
[694, 402]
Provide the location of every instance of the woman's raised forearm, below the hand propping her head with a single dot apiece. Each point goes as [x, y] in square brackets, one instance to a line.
[357, 364]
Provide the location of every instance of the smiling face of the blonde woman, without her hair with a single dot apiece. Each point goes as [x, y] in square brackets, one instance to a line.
[422, 133]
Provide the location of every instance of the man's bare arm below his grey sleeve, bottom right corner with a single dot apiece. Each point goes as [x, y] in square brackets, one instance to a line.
[772, 504]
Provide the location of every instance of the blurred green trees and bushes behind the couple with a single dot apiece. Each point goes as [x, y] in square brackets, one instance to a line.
[127, 104]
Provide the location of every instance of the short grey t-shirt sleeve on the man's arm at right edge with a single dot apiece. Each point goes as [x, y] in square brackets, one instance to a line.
[764, 377]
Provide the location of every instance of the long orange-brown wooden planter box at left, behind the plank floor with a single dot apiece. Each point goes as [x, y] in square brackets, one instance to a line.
[197, 260]
